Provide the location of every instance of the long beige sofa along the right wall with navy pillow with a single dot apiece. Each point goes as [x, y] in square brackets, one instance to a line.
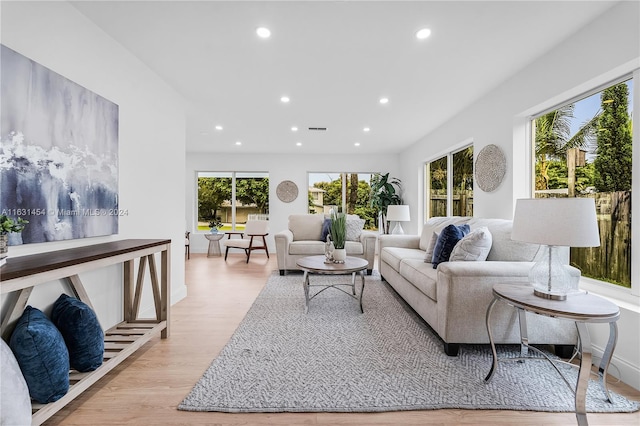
[453, 298]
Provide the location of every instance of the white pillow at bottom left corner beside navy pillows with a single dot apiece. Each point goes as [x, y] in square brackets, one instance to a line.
[15, 404]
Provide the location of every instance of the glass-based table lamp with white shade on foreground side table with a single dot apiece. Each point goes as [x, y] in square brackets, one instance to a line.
[555, 222]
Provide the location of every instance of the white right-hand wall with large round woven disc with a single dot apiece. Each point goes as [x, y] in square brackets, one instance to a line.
[608, 46]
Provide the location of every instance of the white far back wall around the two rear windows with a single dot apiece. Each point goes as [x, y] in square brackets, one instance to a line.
[279, 167]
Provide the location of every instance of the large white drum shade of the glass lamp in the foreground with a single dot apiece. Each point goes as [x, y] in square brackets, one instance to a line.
[556, 222]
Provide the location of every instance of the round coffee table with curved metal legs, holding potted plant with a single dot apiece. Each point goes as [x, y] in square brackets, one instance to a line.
[317, 265]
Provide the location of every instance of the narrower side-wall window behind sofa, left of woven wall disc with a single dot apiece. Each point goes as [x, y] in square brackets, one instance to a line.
[449, 184]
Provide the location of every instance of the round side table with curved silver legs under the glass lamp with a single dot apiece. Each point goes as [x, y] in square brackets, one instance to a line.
[582, 308]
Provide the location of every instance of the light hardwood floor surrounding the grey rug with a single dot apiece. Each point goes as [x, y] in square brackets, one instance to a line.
[147, 387]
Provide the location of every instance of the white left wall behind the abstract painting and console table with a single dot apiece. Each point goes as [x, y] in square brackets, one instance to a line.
[151, 140]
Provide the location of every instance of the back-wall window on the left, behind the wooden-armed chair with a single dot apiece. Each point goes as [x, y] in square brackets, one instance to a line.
[229, 199]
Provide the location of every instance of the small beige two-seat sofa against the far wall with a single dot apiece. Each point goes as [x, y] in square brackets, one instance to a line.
[303, 238]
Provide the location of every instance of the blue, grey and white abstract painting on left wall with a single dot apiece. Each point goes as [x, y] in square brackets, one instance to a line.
[58, 154]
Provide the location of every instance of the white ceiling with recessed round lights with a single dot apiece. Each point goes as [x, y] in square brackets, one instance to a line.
[334, 59]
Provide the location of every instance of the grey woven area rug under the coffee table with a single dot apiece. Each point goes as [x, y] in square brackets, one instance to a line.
[336, 359]
